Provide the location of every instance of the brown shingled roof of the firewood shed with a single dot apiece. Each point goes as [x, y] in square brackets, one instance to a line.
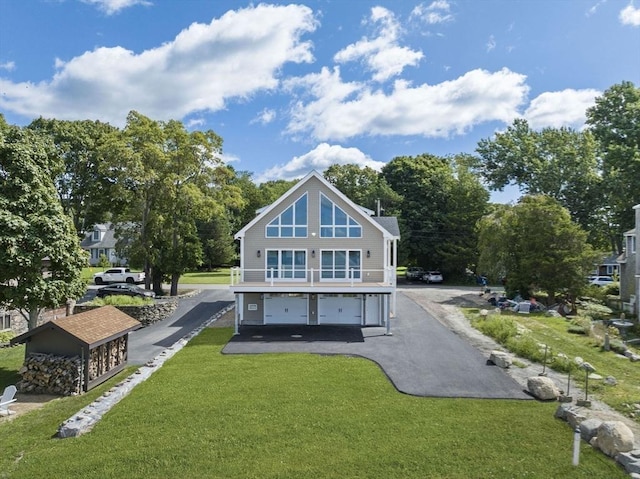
[90, 328]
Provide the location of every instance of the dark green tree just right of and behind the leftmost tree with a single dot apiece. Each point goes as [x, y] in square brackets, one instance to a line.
[84, 191]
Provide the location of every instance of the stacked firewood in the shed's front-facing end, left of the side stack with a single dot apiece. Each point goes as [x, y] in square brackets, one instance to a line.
[50, 374]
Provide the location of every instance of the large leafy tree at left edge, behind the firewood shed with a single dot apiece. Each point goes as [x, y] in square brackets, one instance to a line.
[34, 230]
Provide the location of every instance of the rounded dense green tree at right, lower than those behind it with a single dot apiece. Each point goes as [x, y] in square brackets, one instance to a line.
[537, 245]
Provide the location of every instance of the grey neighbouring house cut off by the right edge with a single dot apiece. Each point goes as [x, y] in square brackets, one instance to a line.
[630, 270]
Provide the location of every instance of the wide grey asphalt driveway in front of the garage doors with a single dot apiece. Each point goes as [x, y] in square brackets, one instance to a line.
[421, 358]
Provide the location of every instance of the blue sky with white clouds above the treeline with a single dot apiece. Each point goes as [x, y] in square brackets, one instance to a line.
[298, 86]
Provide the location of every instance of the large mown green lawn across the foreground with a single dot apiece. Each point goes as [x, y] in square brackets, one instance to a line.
[297, 416]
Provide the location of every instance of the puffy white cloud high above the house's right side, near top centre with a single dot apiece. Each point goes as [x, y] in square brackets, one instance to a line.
[382, 54]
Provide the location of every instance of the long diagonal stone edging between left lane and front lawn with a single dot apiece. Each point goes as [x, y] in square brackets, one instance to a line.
[83, 421]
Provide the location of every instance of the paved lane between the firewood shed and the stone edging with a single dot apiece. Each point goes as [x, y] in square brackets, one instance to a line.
[146, 343]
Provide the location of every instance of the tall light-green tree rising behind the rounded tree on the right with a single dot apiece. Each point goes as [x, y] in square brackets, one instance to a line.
[560, 163]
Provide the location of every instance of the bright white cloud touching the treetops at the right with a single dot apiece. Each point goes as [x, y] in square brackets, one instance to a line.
[561, 108]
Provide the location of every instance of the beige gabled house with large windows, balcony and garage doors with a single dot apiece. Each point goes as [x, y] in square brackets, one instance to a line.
[314, 257]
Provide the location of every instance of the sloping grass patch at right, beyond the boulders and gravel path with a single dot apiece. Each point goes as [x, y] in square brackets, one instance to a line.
[554, 332]
